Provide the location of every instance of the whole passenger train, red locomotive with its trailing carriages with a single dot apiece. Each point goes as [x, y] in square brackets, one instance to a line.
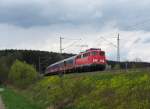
[90, 60]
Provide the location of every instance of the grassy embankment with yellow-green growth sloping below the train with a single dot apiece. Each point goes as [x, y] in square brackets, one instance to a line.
[107, 90]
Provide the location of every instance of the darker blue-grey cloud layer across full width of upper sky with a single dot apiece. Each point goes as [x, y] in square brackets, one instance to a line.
[79, 12]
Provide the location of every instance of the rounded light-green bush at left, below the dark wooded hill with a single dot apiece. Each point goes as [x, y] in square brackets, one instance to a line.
[22, 74]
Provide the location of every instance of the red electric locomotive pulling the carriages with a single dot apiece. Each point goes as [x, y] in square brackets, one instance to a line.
[91, 59]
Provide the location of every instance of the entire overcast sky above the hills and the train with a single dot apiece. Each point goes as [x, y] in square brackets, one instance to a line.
[38, 24]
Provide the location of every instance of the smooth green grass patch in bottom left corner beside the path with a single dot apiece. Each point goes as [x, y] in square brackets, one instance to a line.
[13, 100]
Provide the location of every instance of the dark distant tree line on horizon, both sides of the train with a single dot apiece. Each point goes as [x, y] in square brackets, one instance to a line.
[41, 59]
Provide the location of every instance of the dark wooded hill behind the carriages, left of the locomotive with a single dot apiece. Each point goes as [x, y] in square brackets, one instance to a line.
[39, 59]
